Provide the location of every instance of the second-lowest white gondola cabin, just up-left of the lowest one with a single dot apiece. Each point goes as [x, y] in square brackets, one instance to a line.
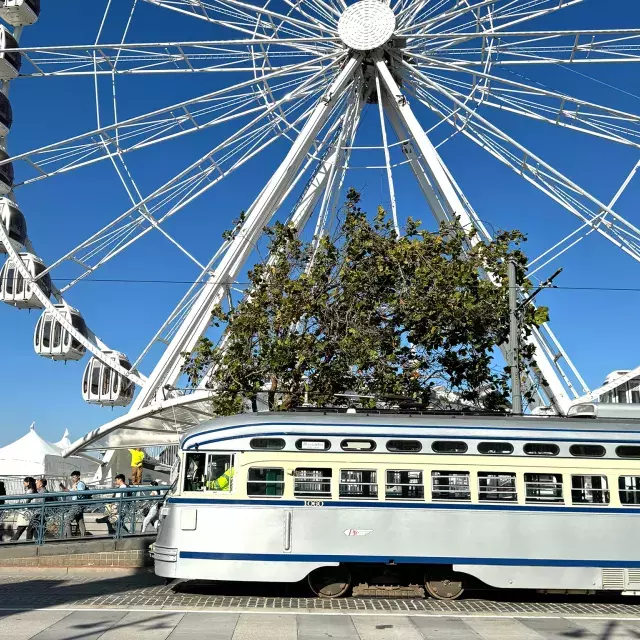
[52, 340]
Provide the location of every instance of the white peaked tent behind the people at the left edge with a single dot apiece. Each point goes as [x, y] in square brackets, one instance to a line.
[32, 455]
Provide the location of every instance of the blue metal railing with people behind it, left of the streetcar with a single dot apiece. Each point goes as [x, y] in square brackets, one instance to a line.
[41, 517]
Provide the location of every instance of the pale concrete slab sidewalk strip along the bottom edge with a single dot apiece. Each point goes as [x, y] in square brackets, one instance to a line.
[110, 624]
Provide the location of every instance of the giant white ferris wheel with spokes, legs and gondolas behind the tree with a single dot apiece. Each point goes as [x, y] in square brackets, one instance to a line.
[298, 76]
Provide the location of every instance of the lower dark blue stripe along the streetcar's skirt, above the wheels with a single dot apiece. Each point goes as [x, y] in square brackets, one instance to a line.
[515, 562]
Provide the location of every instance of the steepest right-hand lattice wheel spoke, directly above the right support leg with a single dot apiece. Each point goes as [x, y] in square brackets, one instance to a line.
[532, 168]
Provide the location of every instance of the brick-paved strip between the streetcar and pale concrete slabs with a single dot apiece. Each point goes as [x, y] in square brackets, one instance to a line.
[32, 589]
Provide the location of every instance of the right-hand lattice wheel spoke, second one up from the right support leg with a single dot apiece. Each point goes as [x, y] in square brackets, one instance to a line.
[535, 101]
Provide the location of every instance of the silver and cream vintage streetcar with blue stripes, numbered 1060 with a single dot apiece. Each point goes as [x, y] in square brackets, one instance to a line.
[373, 500]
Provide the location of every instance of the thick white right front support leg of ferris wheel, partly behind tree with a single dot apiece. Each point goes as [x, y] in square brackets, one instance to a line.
[446, 204]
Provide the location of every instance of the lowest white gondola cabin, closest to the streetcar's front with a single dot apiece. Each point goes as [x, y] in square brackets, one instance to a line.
[102, 385]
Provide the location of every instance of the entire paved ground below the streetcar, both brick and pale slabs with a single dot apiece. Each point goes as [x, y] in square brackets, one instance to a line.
[111, 606]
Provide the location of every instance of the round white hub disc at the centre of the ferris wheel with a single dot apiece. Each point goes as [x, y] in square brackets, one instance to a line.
[366, 25]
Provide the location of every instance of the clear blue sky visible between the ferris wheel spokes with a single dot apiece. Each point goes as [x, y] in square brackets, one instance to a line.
[598, 328]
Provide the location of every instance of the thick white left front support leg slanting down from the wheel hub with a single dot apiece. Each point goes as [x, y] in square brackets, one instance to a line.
[169, 367]
